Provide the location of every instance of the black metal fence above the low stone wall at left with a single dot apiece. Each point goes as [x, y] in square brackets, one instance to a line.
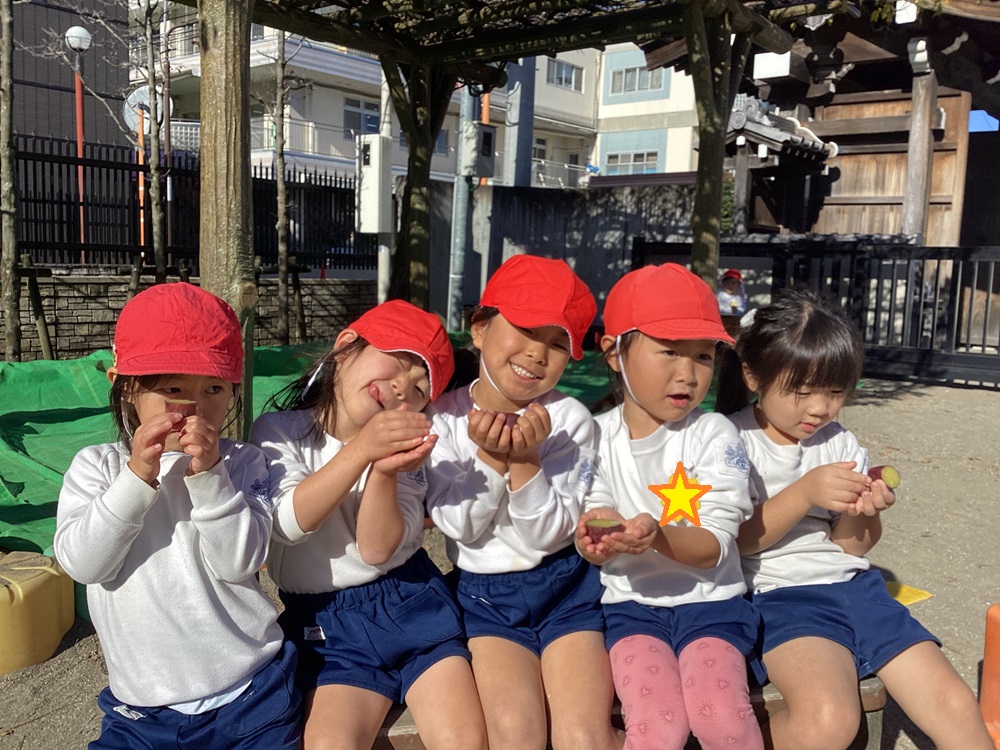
[108, 222]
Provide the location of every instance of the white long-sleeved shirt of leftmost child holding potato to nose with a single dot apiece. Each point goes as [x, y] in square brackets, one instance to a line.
[170, 573]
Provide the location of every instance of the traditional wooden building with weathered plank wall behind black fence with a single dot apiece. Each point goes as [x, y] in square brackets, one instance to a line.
[889, 94]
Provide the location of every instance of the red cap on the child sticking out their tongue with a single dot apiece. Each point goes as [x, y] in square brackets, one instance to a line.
[398, 326]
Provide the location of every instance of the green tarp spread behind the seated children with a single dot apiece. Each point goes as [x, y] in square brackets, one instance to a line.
[50, 410]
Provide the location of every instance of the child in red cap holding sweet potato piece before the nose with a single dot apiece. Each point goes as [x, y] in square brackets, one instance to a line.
[168, 528]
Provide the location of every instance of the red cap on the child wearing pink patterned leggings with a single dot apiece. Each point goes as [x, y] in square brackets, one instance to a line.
[666, 302]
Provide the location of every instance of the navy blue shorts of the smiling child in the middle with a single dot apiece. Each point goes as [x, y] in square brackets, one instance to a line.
[562, 595]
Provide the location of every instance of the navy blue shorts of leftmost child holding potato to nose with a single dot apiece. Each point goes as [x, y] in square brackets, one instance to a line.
[266, 714]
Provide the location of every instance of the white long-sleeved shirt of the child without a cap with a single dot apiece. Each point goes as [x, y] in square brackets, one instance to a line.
[806, 555]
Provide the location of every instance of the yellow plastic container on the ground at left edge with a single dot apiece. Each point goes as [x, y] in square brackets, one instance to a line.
[36, 608]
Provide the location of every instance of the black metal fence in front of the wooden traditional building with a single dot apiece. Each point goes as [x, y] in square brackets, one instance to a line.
[926, 313]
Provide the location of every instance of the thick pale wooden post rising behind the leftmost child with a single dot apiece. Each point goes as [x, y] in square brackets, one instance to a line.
[226, 253]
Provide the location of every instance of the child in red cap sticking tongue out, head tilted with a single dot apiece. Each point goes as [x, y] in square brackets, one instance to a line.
[370, 613]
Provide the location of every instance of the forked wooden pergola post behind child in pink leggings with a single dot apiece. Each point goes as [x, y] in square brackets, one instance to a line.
[716, 68]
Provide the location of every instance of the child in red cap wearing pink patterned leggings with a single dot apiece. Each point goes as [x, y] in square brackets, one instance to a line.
[679, 629]
